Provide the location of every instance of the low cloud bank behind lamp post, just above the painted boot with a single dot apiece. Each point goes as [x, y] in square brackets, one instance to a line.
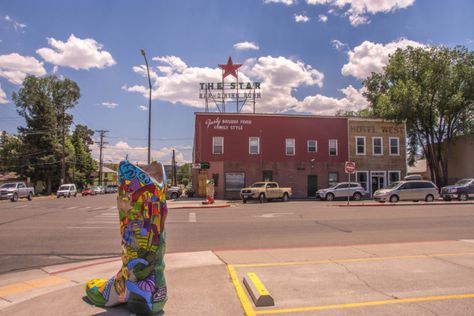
[122, 149]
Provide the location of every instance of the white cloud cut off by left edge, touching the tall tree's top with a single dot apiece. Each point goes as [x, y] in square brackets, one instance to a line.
[15, 67]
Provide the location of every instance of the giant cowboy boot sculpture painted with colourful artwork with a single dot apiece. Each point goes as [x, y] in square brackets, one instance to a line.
[140, 283]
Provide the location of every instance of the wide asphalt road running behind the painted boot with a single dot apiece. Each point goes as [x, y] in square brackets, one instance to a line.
[49, 231]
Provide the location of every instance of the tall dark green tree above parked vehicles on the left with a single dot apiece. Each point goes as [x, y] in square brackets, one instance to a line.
[43, 103]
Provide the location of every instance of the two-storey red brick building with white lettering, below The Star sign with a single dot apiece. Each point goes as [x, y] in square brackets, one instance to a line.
[301, 152]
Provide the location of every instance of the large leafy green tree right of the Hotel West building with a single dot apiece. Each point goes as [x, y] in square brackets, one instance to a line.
[432, 90]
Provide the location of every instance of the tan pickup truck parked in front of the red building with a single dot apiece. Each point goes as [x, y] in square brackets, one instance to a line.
[265, 191]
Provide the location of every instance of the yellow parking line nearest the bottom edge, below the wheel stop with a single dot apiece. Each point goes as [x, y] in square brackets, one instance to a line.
[364, 304]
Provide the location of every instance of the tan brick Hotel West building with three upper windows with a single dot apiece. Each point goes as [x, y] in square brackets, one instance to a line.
[378, 149]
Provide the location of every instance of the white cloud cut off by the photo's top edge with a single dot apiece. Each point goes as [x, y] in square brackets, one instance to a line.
[357, 10]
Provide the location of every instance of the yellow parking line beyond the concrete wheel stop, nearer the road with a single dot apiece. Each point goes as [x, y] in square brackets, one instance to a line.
[353, 260]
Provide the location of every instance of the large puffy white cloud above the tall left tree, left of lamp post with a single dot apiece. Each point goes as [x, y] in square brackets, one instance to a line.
[76, 53]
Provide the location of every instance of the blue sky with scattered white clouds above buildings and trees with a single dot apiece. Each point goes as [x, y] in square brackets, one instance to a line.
[310, 55]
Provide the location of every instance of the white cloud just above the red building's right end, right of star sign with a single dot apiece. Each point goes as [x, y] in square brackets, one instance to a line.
[352, 100]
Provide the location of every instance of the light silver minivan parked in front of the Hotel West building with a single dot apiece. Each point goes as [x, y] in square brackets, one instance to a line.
[413, 190]
